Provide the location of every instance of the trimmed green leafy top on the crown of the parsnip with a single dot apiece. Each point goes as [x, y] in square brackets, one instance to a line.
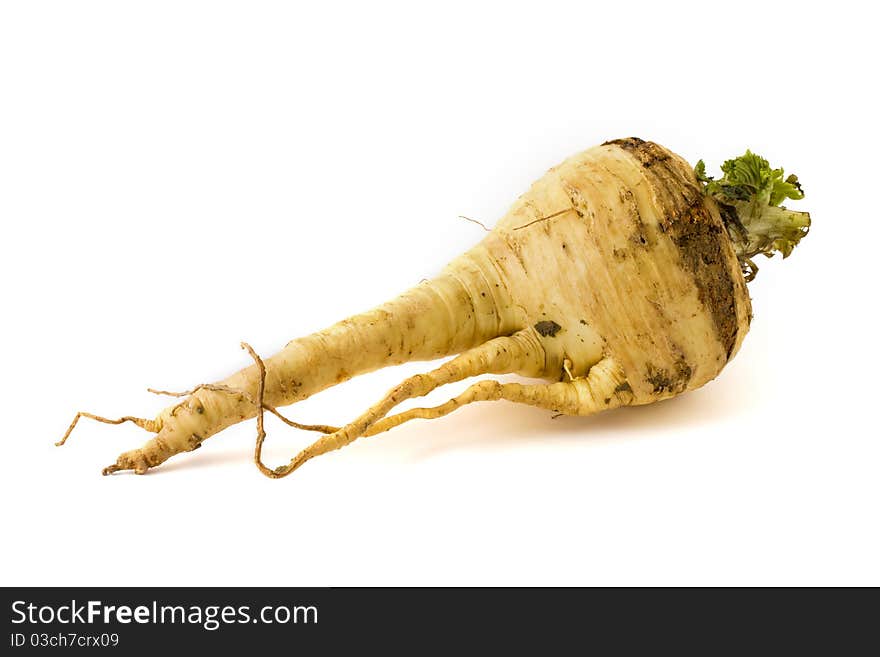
[749, 195]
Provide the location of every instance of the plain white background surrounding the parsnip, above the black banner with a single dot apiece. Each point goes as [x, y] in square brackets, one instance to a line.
[178, 176]
